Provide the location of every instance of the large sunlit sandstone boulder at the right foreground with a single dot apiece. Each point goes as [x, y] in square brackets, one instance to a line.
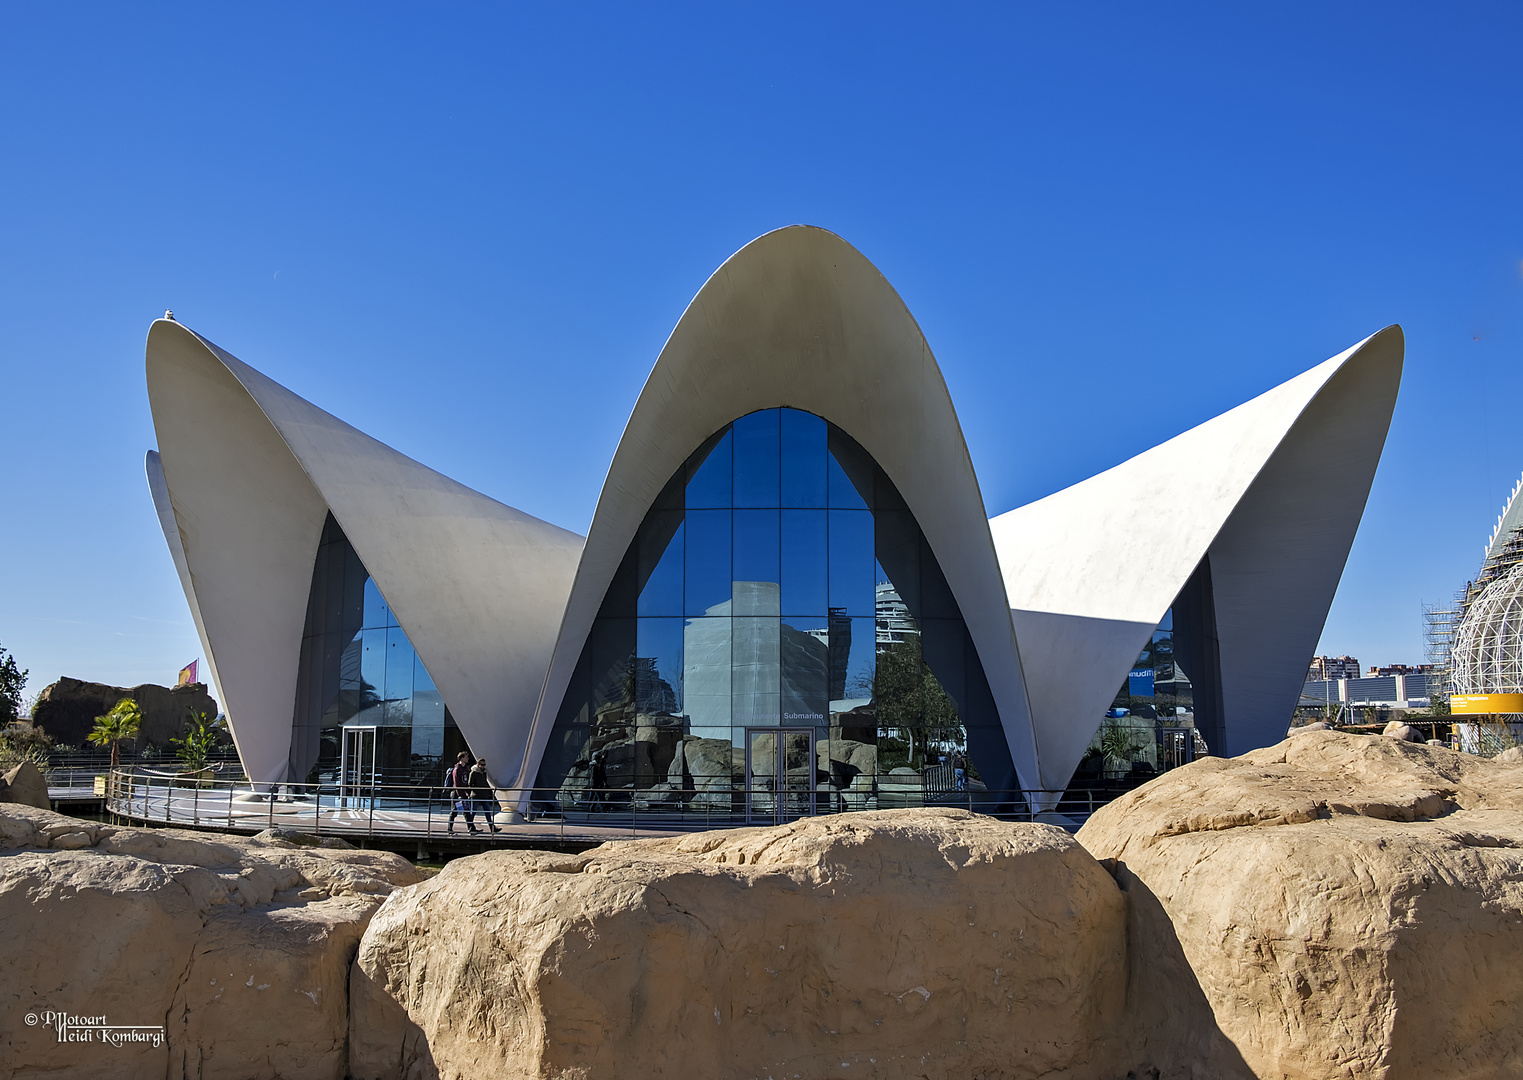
[1333, 907]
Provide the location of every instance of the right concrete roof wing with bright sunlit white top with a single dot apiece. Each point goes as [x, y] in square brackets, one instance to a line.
[1272, 493]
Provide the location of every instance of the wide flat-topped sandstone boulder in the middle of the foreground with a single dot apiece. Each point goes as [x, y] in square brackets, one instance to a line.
[880, 945]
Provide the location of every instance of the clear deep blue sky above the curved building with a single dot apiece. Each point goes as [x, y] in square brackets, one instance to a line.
[468, 229]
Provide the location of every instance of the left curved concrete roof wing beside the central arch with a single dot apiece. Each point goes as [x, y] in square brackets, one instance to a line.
[252, 471]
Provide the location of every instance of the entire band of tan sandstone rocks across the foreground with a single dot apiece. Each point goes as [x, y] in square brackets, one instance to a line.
[1333, 907]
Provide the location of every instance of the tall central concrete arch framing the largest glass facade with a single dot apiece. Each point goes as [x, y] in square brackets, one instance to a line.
[802, 319]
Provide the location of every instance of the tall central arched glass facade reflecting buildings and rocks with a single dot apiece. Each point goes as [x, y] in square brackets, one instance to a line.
[777, 639]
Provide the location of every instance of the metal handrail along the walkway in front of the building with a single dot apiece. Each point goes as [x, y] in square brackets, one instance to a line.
[413, 813]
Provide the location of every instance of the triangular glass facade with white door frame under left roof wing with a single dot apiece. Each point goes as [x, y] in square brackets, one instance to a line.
[360, 674]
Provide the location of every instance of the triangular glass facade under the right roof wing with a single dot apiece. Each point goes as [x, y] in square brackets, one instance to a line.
[1169, 711]
